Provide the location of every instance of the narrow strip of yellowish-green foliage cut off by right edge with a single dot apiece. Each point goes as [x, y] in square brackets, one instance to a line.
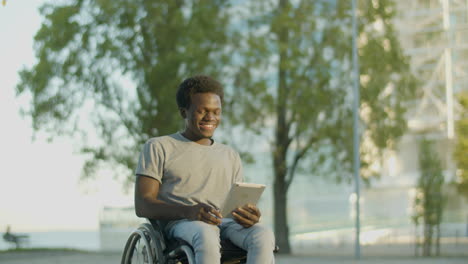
[461, 146]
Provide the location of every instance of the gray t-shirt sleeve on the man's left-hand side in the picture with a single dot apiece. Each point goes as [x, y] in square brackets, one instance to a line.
[151, 161]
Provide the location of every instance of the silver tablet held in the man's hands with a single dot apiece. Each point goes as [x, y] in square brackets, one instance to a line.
[240, 194]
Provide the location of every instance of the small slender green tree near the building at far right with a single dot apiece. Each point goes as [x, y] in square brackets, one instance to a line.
[429, 201]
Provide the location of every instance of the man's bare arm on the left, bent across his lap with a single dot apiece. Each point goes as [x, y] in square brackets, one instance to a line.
[147, 205]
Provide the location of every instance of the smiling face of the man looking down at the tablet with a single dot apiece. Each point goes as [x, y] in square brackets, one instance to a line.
[202, 117]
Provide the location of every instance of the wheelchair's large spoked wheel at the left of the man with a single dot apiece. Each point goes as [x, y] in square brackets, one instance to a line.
[143, 247]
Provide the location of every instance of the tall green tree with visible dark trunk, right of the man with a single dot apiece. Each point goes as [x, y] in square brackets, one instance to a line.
[294, 77]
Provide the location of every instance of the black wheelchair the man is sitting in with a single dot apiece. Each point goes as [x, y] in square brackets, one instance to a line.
[148, 244]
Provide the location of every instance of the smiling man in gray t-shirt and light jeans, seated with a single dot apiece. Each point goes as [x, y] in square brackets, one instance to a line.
[183, 178]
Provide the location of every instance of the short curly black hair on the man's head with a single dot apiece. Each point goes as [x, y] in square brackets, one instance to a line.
[197, 84]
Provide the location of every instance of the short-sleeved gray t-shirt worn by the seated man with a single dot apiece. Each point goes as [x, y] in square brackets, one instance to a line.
[189, 172]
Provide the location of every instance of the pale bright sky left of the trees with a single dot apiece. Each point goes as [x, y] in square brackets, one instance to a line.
[40, 187]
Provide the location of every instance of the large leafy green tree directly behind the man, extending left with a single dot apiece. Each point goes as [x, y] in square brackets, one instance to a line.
[124, 60]
